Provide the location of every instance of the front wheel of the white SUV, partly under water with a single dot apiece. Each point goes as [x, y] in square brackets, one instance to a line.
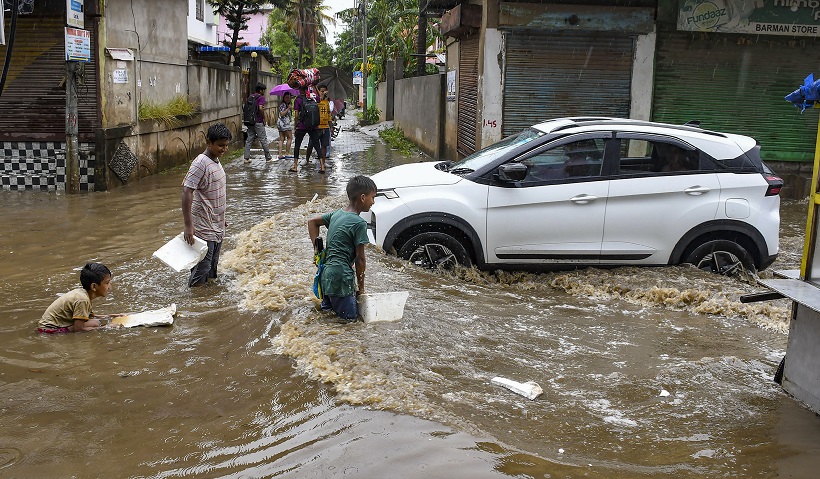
[434, 250]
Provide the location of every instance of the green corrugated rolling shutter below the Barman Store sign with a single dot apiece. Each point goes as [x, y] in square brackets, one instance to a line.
[736, 84]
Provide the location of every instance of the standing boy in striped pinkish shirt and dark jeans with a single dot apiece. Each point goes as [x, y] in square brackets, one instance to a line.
[204, 200]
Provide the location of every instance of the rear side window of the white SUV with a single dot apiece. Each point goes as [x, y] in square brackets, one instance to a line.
[642, 157]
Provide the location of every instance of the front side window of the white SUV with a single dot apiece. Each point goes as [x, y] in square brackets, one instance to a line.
[578, 159]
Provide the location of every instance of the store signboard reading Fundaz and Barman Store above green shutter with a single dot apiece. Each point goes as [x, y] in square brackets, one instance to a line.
[798, 18]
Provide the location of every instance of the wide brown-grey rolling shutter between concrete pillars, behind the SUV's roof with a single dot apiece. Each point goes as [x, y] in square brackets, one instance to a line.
[565, 74]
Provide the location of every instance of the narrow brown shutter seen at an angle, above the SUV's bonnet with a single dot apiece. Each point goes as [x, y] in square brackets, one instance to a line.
[467, 95]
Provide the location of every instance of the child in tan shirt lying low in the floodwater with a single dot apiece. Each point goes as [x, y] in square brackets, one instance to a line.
[71, 312]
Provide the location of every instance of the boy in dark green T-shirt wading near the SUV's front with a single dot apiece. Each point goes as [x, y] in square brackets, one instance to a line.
[346, 237]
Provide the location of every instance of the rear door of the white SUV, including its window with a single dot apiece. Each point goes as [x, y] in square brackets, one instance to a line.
[657, 193]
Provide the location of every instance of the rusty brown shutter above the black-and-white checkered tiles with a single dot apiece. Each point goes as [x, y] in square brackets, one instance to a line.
[32, 107]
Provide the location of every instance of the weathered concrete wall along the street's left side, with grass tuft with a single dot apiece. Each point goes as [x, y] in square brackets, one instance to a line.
[128, 149]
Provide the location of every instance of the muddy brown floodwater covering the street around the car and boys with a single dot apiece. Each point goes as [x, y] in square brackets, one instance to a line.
[646, 372]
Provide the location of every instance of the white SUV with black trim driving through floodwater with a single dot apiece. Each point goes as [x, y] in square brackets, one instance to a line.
[588, 191]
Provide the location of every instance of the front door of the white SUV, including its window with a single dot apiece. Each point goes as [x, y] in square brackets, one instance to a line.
[555, 215]
